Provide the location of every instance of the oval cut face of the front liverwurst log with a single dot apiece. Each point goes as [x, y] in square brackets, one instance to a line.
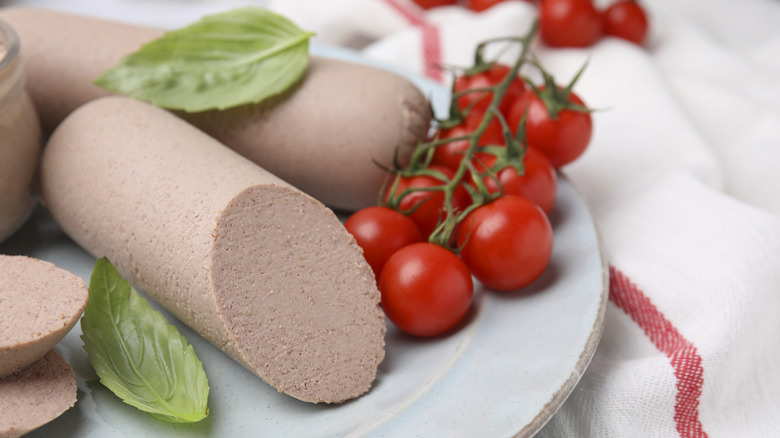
[297, 296]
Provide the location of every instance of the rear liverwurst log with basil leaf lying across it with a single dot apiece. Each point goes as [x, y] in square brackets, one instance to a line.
[322, 137]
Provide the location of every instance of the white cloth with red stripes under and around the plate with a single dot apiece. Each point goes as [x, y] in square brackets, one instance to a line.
[682, 177]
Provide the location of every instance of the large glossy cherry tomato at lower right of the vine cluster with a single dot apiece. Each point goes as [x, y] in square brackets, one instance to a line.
[507, 244]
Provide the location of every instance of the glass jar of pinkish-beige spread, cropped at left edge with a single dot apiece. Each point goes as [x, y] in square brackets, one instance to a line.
[20, 138]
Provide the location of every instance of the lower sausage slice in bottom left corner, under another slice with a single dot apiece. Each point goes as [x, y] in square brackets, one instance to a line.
[36, 395]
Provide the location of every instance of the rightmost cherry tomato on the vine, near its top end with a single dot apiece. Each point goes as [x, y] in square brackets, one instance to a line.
[562, 139]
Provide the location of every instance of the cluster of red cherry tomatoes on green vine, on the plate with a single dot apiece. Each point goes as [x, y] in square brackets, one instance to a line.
[478, 190]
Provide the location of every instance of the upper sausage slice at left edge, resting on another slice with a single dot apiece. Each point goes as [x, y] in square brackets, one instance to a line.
[39, 304]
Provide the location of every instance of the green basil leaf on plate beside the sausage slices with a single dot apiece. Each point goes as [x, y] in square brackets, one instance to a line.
[137, 354]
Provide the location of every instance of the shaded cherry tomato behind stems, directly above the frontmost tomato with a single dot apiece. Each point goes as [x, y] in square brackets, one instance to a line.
[428, 204]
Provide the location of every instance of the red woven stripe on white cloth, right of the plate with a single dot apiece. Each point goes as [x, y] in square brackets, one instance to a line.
[684, 356]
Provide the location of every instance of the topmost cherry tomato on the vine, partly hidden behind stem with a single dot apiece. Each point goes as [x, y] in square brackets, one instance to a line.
[484, 79]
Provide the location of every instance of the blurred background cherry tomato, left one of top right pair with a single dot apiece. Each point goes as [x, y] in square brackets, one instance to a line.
[569, 23]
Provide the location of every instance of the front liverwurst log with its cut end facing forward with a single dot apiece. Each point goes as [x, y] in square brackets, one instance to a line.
[263, 271]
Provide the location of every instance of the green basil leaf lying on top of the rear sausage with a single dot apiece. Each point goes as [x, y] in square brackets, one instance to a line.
[224, 60]
